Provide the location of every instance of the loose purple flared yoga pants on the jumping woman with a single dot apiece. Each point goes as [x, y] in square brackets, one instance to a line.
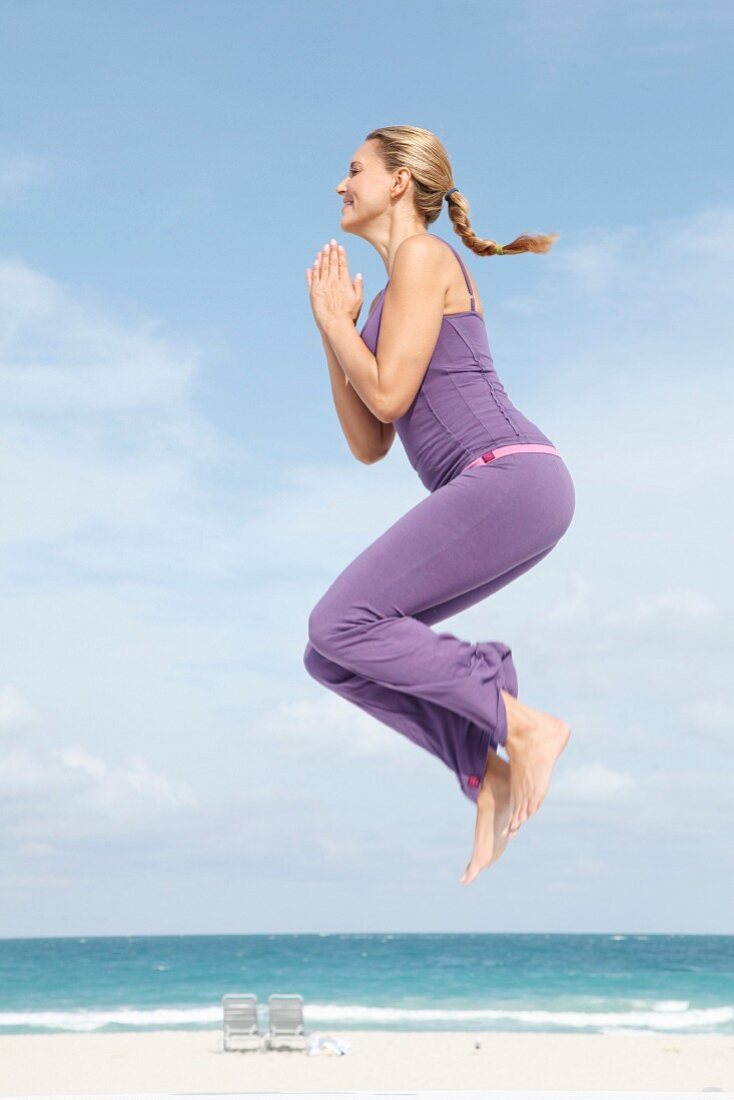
[370, 635]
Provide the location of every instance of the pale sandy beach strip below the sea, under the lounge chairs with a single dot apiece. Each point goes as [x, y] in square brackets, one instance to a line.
[194, 1062]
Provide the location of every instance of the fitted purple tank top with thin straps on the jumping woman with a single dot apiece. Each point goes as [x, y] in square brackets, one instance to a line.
[462, 408]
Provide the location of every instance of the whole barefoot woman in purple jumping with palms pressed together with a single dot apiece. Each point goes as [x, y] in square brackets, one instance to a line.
[501, 497]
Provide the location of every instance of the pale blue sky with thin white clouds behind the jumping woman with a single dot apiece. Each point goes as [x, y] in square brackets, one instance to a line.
[177, 494]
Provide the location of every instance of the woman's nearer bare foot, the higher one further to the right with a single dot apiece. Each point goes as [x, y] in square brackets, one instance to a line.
[535, 741]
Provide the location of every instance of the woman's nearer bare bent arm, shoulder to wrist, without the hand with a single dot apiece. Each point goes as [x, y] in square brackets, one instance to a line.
[412, 316]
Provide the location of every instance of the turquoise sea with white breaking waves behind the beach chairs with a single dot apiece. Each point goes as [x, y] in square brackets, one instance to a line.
[398, 982]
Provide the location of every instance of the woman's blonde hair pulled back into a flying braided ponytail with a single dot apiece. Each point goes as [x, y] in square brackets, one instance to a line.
[424, 156]
